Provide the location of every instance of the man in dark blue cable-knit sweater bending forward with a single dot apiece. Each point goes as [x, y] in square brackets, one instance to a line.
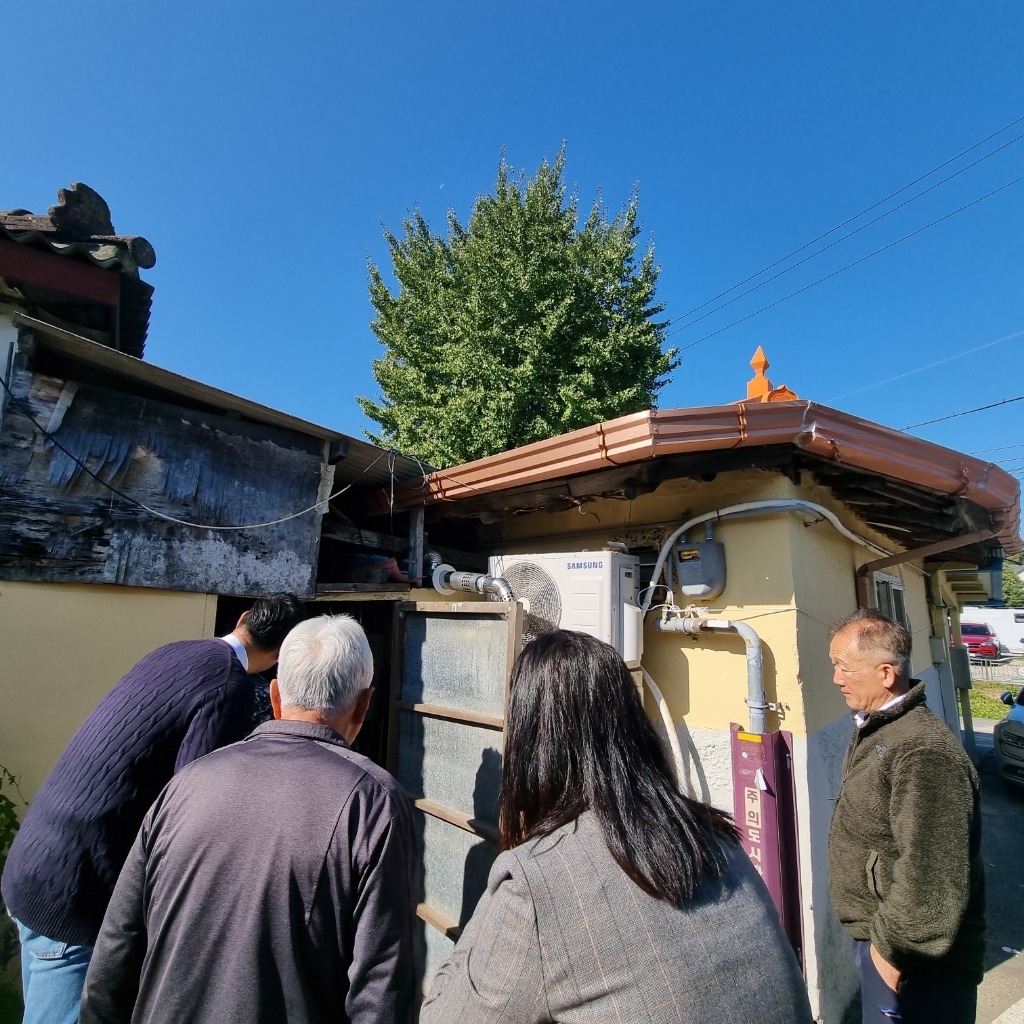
[180, 703]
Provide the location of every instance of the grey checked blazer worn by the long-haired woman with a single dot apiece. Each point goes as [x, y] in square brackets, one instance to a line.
[564, 934]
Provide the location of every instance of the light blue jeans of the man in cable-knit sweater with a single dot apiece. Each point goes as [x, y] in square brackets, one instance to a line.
[53, 976]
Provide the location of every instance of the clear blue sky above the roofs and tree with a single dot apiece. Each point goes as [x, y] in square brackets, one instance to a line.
[262, 147]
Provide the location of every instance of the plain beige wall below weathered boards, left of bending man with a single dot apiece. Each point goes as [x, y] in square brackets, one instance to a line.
[65, 646]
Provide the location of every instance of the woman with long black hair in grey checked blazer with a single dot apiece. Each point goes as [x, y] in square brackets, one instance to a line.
[616, 898]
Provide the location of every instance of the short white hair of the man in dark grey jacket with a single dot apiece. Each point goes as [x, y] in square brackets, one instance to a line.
[325, 665]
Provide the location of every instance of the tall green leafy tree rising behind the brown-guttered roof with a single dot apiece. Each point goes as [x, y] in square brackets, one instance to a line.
[524, 324]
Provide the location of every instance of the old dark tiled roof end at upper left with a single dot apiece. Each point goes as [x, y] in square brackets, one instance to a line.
[79, 228]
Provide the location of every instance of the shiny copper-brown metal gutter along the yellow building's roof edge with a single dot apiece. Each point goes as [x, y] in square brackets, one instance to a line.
[820, 431]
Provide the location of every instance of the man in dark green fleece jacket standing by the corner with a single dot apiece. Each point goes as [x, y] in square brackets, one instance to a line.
[905, 847]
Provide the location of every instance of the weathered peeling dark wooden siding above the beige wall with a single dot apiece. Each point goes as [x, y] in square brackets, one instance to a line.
[60, 525]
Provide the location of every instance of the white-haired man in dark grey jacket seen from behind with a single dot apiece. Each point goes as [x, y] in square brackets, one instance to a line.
[273, 881]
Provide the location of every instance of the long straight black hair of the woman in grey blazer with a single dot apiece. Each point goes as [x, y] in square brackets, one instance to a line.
[578, 739]
